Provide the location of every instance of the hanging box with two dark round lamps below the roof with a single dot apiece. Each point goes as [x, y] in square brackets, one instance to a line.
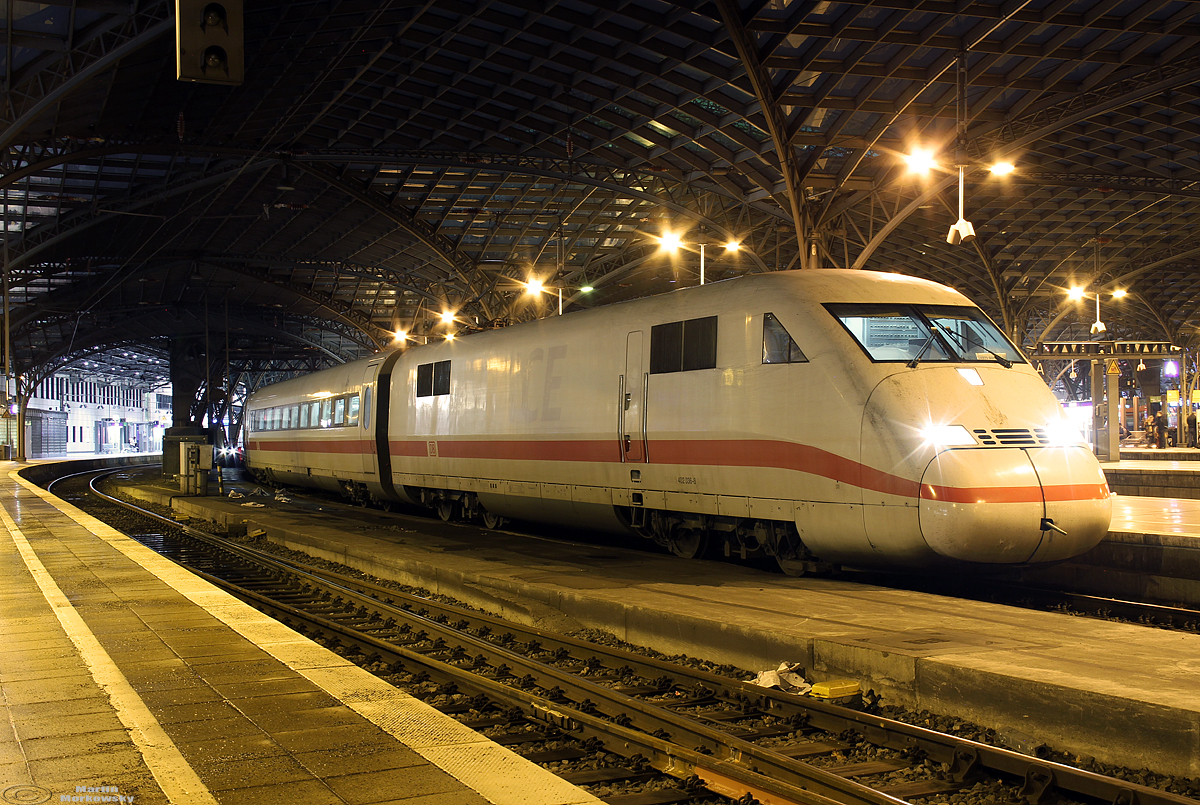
[209, 43]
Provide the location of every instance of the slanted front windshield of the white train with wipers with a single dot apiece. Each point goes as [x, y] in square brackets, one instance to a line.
[926, 333]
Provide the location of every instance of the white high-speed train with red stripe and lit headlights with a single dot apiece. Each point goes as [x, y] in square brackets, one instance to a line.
[849, 418]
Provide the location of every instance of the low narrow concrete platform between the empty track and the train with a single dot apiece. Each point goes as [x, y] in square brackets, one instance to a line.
[1119, 693]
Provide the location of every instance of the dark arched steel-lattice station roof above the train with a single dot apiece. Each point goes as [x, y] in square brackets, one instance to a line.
[386, 161]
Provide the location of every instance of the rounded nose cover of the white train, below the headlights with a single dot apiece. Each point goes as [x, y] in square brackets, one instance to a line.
[1015, 506]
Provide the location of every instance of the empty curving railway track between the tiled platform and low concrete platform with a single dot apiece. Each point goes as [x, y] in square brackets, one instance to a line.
[574, 705]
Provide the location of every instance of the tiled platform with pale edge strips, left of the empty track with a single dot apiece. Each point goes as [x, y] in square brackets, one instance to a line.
[128, 680]
